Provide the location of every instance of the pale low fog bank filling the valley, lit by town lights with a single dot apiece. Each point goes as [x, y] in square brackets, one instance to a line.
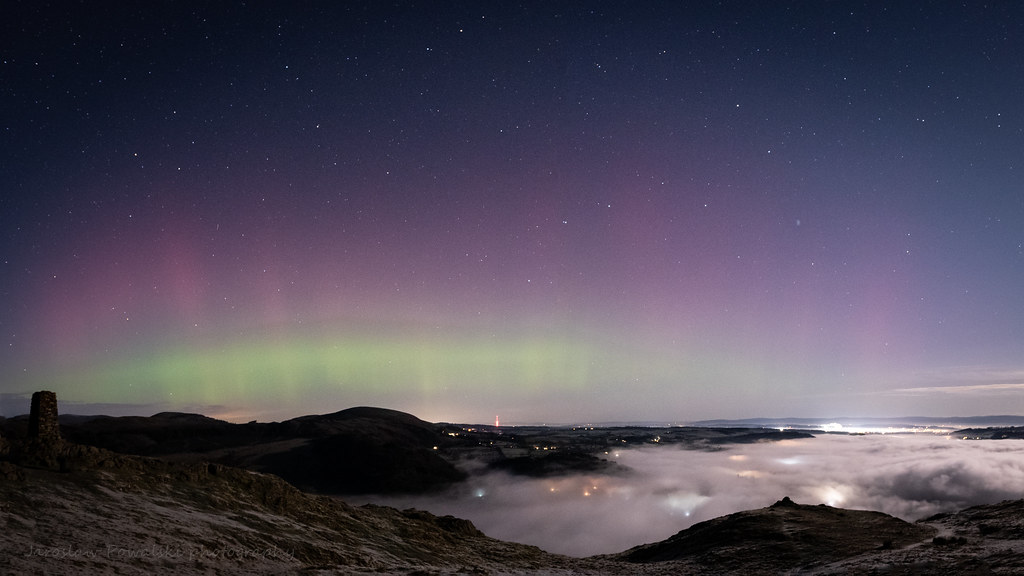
[908, 476]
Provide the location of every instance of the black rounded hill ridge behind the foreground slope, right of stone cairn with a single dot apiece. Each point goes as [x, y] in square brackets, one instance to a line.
[359, 450]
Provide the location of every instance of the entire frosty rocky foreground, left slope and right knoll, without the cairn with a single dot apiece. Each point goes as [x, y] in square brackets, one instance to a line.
[84, 510]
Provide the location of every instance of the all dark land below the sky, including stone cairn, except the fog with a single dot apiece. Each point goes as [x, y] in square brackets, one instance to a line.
[187, 495]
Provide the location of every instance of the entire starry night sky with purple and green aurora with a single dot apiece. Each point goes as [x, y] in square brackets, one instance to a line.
[549, 212]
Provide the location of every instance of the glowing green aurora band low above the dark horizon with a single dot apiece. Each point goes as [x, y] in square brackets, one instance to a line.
[288, 376]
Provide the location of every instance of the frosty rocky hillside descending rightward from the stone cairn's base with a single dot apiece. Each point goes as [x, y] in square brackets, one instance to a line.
[115, 514]
